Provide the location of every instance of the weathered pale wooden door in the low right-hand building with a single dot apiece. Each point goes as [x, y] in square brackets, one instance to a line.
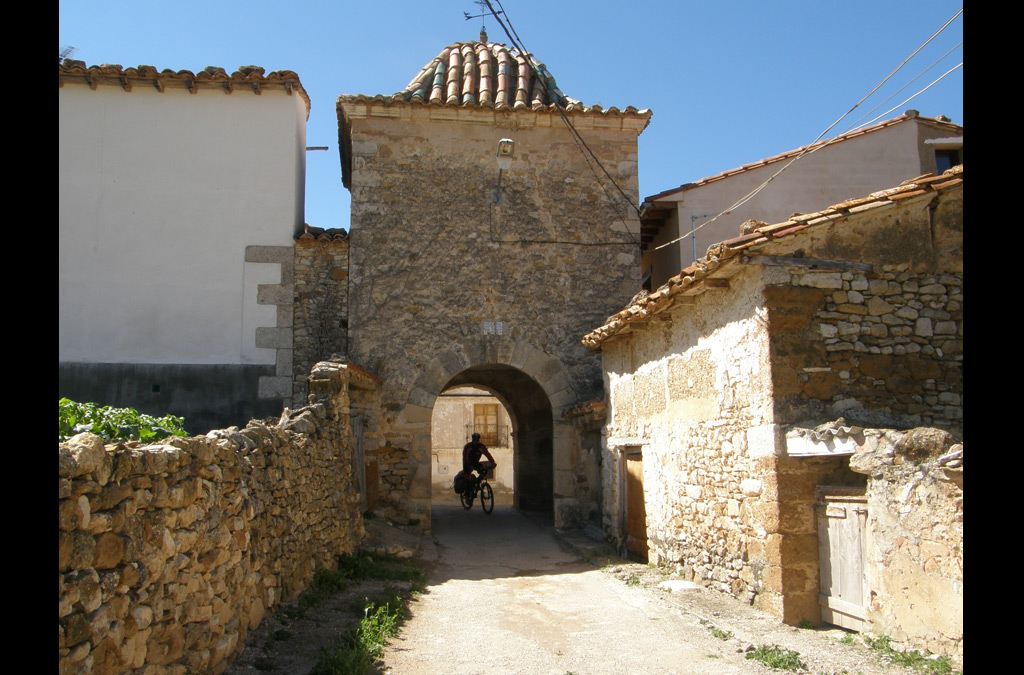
[842, 558]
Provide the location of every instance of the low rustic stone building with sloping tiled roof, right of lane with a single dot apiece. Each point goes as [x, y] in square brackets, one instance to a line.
[739, 392]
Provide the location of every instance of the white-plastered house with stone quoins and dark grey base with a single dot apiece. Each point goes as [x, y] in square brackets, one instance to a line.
[180, 197]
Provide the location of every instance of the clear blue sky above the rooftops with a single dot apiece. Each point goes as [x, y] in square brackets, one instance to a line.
[730, 82]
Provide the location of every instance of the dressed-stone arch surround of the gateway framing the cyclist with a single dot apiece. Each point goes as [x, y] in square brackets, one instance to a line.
[537, 389]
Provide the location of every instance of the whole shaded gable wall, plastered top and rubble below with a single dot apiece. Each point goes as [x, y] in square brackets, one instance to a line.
[882, 346]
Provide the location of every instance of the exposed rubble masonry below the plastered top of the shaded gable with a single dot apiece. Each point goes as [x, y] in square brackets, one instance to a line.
[882, 349]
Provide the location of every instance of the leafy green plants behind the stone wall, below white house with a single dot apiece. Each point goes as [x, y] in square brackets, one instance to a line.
[114, 424]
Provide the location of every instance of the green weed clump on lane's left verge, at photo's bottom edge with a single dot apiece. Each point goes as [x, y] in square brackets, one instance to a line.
[363, 647]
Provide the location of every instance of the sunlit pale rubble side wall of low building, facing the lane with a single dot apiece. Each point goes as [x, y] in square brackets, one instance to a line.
[695, 393]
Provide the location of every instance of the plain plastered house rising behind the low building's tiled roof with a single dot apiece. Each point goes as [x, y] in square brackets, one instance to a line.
[676, 224]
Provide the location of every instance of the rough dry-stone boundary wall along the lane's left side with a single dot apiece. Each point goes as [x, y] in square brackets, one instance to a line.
[169, 554]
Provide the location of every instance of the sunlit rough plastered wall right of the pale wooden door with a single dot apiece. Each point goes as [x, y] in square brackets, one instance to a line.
[916, 549]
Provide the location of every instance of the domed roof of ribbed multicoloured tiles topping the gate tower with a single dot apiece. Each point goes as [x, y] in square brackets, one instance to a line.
[488, 75]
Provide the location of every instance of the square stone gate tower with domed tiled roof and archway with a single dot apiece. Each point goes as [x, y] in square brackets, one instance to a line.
[456, 260]
